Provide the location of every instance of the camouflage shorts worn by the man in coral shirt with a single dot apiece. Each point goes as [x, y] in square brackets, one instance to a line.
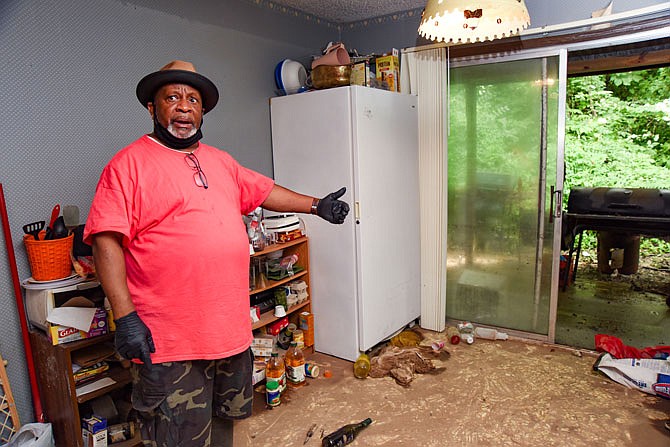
[176, 400]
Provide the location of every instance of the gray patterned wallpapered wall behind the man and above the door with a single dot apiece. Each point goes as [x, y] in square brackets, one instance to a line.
[69, 70]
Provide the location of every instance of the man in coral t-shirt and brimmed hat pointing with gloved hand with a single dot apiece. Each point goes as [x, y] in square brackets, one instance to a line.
[171, 252]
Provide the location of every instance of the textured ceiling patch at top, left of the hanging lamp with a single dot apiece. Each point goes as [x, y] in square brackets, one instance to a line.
[347, 11]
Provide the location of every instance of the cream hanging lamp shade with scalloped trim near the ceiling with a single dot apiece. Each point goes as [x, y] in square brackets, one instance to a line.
[468, 21]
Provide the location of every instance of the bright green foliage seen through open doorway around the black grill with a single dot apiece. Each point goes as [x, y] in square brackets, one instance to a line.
[618, 135]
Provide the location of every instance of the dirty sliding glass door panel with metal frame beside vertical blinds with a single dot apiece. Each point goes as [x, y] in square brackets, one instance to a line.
[505, 171]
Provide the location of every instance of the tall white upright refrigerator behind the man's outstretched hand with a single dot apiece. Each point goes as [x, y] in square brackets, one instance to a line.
[365, 273]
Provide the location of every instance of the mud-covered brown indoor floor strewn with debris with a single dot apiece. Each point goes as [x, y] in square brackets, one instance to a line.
[490, 393]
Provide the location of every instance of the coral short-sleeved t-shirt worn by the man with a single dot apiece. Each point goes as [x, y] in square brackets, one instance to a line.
[186, 247]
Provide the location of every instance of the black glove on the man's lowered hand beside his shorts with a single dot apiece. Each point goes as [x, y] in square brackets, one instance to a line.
[133, 338]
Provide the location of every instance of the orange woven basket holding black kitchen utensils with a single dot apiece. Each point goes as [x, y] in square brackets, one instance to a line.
[49, 260]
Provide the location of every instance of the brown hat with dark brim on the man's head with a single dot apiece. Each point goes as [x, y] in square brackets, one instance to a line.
[177, 72]
